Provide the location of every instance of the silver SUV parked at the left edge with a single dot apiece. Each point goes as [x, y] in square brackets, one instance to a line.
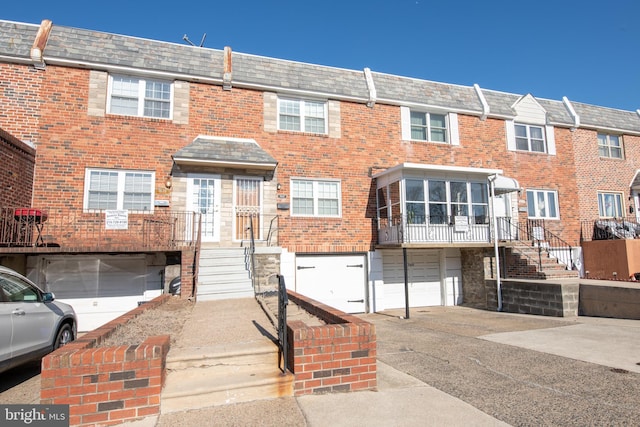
[32, 324]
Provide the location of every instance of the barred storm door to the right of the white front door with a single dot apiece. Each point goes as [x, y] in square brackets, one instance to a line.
[248, 208]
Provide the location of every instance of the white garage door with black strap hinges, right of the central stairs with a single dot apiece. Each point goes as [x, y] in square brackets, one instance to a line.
[338, 281]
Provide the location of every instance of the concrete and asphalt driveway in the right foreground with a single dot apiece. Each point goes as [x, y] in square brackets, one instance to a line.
[520, 369]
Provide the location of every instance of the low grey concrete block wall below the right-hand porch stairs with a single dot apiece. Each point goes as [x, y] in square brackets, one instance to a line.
[546, 298]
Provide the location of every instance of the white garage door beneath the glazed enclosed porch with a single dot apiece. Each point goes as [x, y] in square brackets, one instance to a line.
[425, 287]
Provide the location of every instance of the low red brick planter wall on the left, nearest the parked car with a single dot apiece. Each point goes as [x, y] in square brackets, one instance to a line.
[107, 385]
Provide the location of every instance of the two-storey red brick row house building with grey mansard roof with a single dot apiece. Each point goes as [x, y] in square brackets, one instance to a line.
[156, 160]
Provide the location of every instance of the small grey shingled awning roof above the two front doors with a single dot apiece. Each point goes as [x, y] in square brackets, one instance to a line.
[225, 150]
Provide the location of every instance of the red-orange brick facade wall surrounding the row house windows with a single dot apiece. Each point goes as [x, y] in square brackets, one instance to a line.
[370, 141]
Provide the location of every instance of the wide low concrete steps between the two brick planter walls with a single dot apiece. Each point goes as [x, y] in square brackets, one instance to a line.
[223, 374]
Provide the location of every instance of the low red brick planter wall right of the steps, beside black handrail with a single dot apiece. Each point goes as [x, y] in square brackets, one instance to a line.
[337, 357]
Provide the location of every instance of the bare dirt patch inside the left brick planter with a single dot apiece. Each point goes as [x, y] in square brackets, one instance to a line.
[166, 319]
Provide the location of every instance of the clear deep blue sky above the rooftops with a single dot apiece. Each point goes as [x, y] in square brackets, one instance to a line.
[586, 50]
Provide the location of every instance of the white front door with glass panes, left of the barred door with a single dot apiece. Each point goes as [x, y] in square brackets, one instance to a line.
[203, 197]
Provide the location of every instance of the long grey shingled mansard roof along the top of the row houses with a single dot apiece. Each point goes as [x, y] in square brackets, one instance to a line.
[99, 50]
